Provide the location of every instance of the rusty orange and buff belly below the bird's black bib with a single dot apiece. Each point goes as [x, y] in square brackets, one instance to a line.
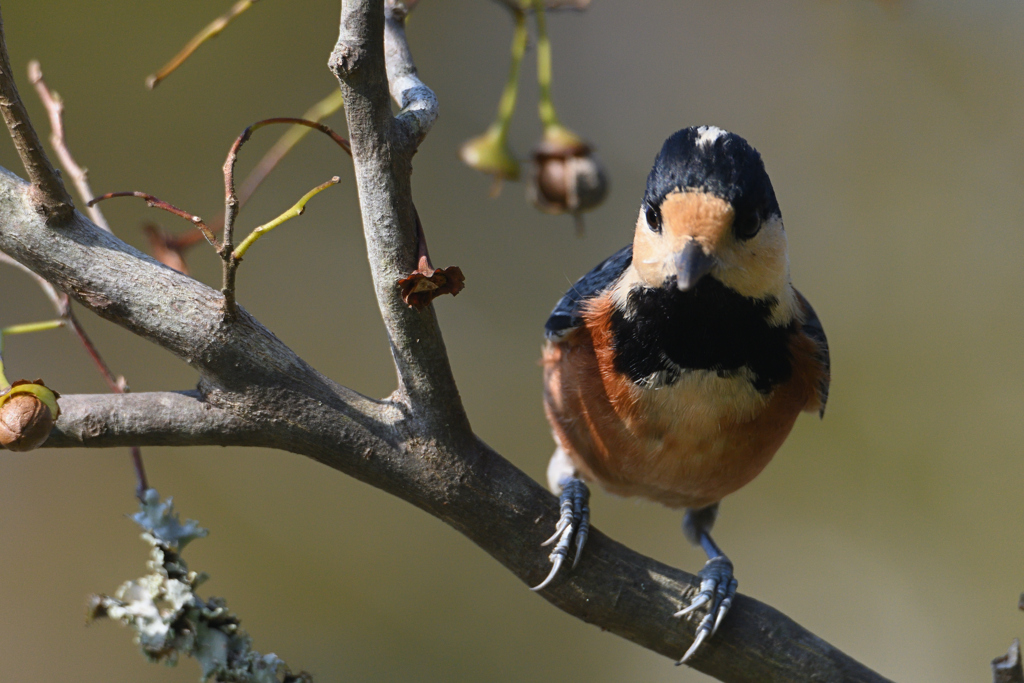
[689, 445]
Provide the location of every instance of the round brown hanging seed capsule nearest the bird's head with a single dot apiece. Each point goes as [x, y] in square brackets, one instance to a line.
[568, 179]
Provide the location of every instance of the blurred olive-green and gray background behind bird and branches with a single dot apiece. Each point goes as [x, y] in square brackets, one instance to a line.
[892, 135]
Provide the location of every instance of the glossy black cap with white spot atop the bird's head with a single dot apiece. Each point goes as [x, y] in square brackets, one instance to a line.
[710, 160]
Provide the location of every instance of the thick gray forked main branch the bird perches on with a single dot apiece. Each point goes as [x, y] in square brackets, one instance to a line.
[417, 444]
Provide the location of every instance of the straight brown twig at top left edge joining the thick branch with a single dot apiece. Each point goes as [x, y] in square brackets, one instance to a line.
[50, 194]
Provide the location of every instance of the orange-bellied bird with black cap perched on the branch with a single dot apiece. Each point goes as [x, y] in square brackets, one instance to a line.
[676, 369]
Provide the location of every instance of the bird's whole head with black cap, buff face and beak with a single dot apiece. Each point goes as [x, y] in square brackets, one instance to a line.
[710, 210]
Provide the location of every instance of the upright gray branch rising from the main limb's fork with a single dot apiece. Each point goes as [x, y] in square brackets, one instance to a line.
[382, 153]
